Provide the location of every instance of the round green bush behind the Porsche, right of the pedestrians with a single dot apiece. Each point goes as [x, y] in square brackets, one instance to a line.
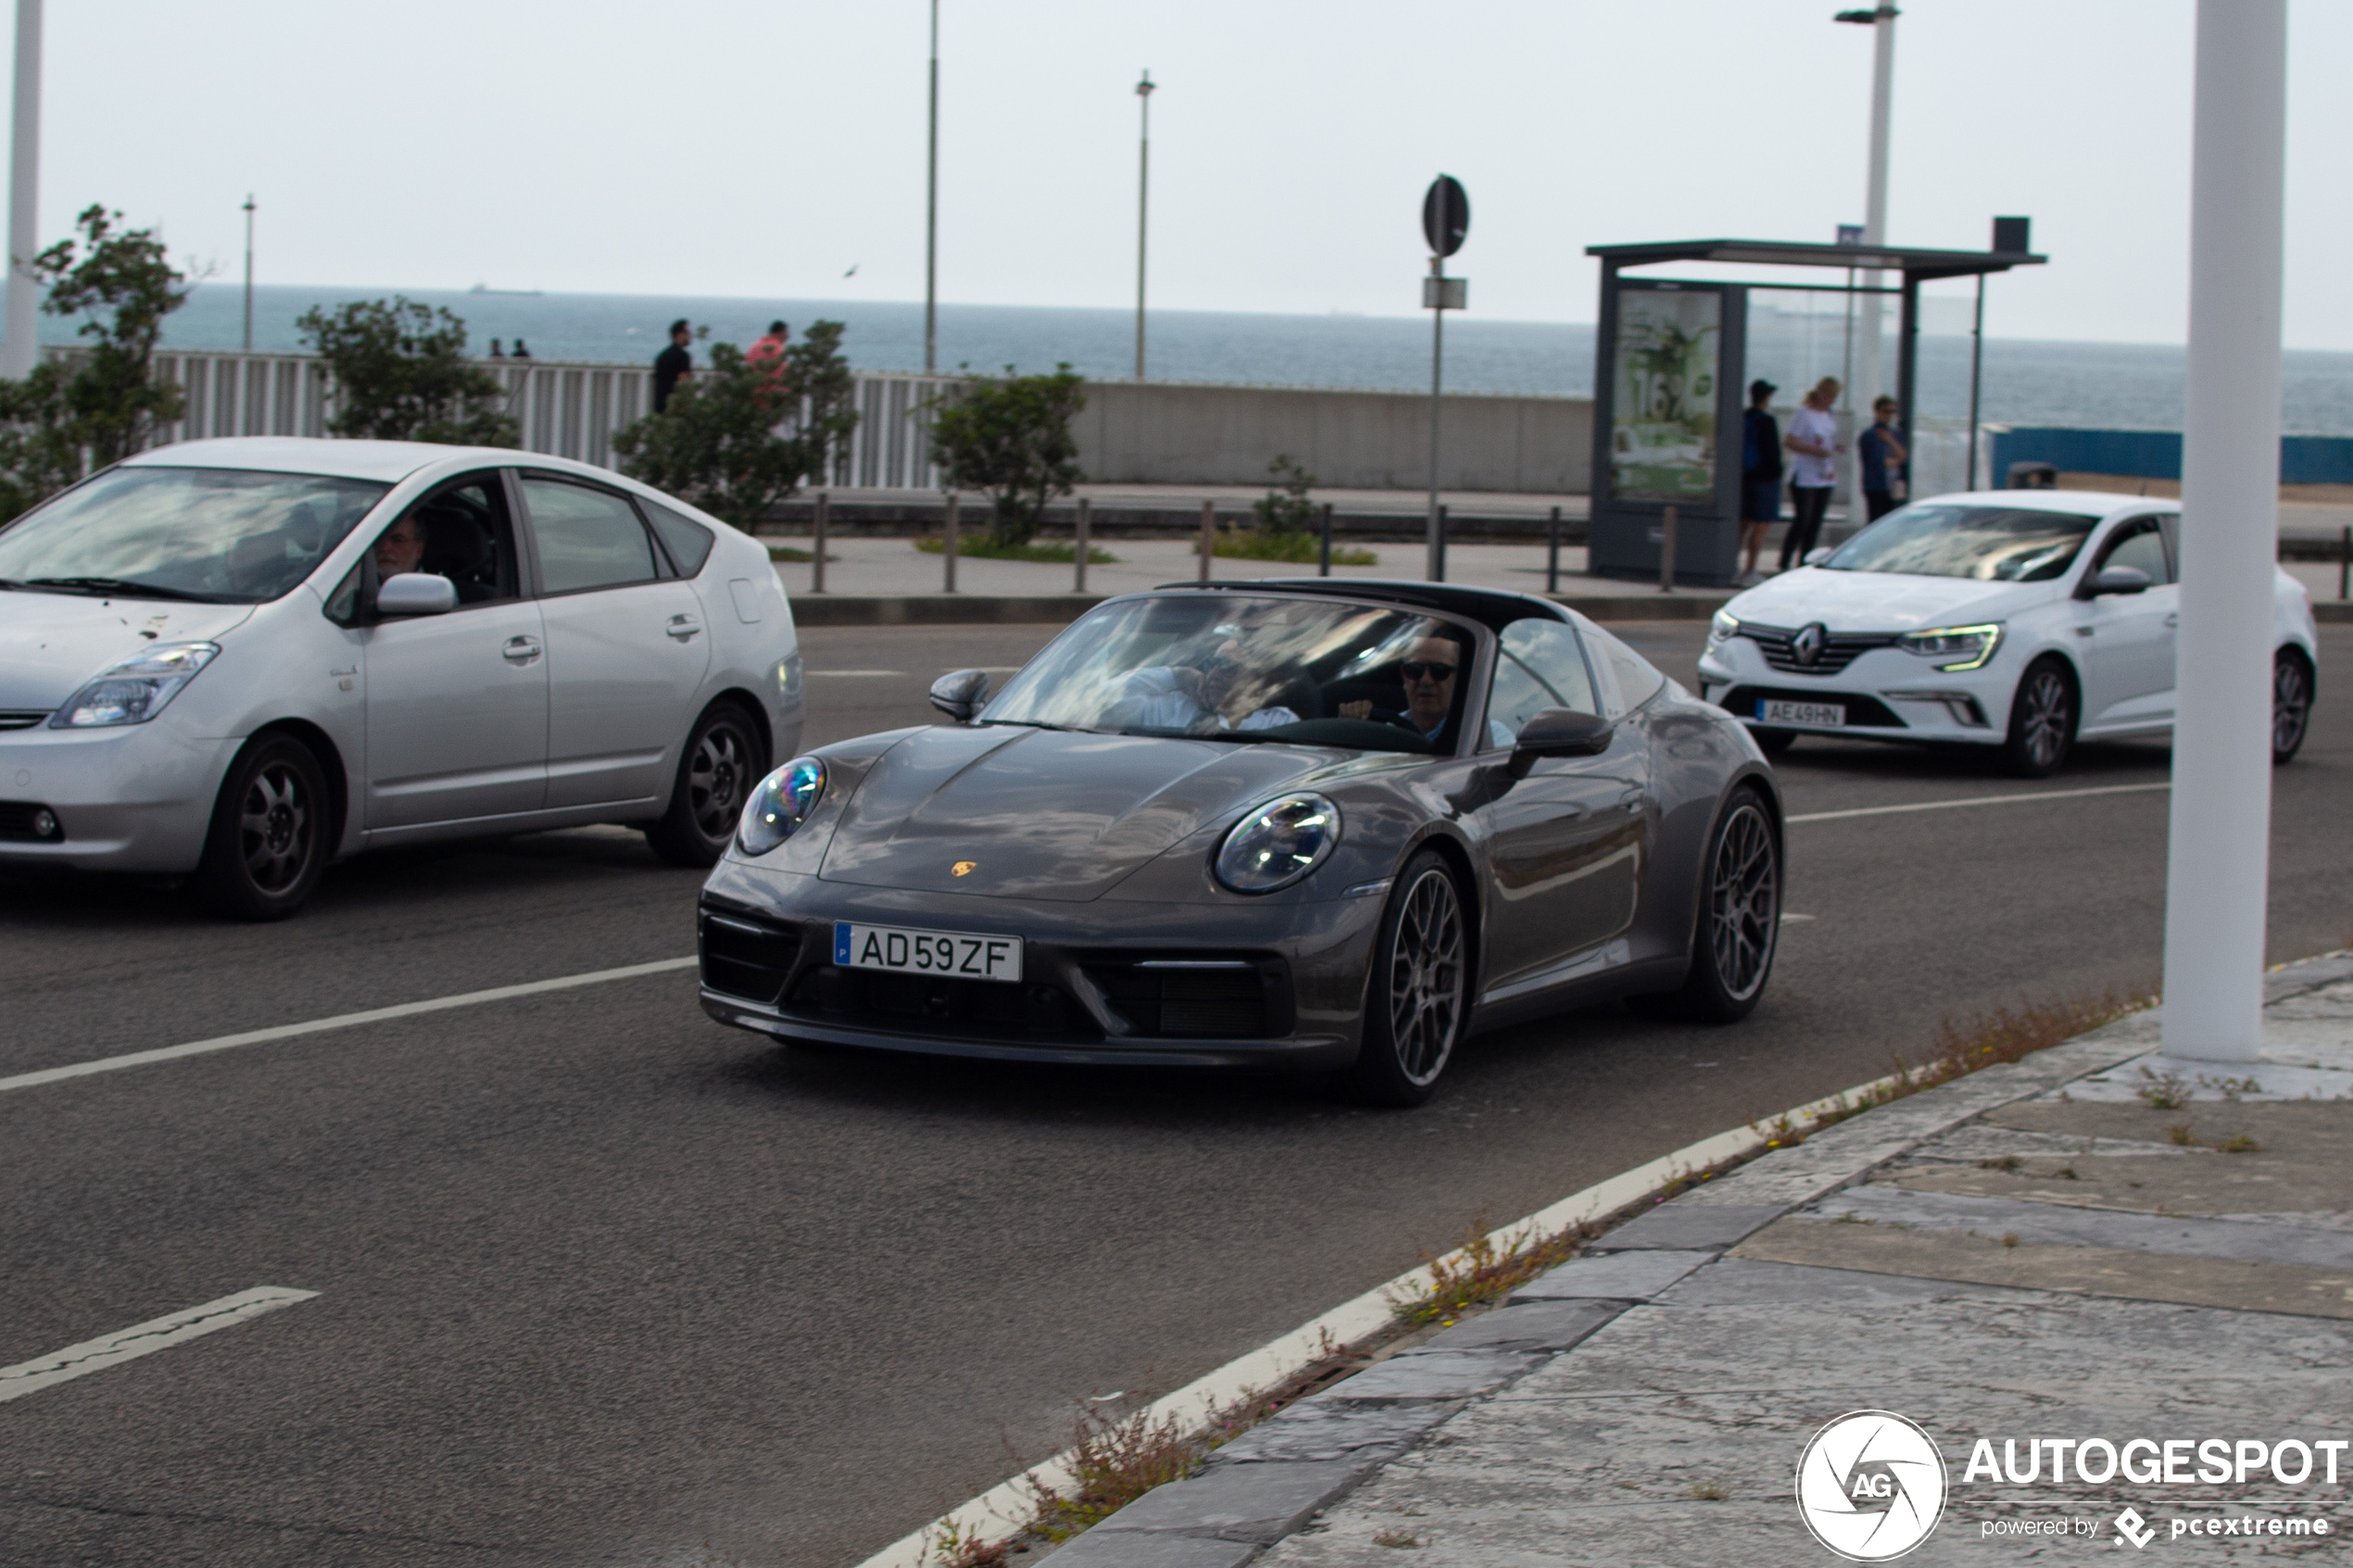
[1013, 441]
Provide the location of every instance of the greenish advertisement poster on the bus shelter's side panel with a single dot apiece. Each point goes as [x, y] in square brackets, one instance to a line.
[1662, 410]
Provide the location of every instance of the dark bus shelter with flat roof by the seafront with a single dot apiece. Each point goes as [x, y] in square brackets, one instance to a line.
[1669, 384]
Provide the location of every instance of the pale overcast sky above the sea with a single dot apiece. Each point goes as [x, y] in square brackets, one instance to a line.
[766, 147]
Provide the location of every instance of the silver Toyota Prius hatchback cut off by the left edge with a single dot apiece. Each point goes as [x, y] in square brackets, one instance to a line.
[248, 657]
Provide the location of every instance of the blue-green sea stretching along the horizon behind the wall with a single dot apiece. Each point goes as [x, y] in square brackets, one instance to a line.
[1794, 340]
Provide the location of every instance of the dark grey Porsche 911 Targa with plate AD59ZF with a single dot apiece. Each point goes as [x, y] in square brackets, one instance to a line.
[1317, 824]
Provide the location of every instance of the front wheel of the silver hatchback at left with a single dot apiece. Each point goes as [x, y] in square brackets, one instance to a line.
[267, 845]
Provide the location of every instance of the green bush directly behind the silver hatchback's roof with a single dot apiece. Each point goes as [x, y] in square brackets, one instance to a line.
[401, 375]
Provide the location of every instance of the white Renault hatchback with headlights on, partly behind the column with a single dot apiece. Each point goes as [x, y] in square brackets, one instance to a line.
[2013, 619]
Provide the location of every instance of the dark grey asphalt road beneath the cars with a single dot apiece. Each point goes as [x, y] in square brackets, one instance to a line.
[601, 1282]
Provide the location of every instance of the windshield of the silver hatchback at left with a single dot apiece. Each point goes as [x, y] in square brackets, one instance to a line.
[211, 535]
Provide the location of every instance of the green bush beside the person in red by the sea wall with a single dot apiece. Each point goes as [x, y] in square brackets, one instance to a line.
[719, 443]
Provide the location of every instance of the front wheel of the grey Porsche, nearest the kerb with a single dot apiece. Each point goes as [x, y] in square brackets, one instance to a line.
[1418, 996]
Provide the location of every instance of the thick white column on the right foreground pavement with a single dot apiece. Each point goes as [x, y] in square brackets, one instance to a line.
[2220, 838]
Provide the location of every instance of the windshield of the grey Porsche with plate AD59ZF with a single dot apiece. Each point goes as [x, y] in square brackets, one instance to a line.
[1246, 669]
